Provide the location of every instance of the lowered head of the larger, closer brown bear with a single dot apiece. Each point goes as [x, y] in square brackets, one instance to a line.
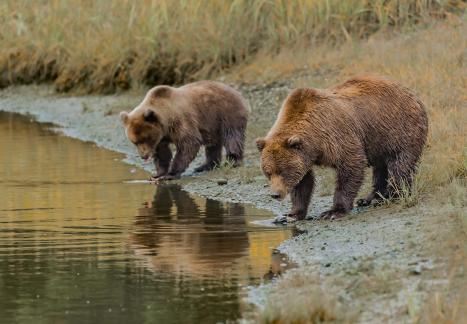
[283, 162]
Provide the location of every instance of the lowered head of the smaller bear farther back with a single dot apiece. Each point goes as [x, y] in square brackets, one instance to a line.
[144, 129]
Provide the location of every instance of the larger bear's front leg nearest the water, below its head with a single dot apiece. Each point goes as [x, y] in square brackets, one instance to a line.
[301, 195]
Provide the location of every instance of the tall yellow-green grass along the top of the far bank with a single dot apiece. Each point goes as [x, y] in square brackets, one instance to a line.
[105, 46]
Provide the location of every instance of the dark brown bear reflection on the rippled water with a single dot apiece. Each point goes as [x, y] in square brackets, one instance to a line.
[178, 233]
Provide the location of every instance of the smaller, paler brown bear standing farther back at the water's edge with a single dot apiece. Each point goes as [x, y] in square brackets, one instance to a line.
[201, 113]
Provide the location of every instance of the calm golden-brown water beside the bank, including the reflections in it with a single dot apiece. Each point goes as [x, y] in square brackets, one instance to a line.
[78, 244]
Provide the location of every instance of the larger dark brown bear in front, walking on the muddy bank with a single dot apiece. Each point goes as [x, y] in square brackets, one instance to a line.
[365, 121]
